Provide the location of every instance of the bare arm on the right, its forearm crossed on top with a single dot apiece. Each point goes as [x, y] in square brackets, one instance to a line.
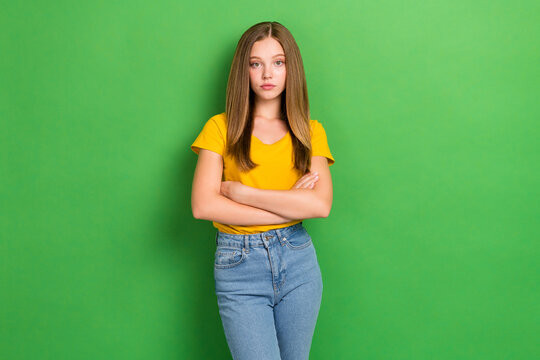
[295, 203]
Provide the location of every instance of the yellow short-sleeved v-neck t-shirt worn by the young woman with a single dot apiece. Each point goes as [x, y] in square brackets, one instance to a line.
[275, 170]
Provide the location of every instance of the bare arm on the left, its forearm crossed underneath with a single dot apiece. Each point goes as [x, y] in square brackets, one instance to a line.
[208, 204]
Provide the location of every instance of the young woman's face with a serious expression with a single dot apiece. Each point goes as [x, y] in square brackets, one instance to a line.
[267, 66]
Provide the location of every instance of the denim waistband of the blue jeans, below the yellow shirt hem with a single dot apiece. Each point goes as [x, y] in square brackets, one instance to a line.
[270, 236]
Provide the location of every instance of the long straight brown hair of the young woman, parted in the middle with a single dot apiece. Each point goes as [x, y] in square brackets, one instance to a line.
[240, 98]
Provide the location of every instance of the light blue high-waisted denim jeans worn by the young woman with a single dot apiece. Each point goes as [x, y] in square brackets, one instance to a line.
[269, 289]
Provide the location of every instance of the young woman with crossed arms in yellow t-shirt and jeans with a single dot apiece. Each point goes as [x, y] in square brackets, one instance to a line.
[263, 167]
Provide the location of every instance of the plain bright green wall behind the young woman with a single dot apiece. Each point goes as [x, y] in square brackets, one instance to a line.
[431, 111]
